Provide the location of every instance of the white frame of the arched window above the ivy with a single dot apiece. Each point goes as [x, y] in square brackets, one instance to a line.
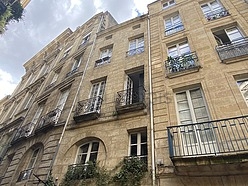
[88, 154]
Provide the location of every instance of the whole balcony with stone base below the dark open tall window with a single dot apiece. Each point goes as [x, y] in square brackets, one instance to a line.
[130, 100]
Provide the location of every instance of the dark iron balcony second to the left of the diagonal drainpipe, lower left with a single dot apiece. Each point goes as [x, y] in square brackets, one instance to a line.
[23, 132]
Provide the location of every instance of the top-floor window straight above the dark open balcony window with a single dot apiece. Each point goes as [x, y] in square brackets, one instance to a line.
[136, 46]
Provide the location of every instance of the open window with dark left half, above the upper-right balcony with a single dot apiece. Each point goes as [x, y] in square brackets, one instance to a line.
[228, 35]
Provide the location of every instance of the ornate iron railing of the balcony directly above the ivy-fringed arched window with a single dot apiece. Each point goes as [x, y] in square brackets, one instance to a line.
[89, 106]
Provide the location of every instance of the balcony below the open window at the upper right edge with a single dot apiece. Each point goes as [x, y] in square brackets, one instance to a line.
[233, 50]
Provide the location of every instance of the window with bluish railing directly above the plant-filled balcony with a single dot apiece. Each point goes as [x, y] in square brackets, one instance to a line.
[173, 24]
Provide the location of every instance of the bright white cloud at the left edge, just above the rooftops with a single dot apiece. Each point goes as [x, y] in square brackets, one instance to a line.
[6, 83]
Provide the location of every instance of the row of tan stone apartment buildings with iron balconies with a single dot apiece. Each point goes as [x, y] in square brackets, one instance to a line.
[169, 87]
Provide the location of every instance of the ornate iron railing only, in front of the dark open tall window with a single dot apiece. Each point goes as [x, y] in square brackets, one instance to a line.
[130, 96]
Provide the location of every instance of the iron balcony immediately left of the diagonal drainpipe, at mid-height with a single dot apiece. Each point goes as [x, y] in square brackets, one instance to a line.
[48, 121]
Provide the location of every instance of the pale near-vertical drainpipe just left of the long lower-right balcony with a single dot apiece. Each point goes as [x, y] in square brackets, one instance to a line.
[151, 102]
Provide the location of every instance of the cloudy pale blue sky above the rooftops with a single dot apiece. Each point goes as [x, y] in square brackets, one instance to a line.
[44, 20]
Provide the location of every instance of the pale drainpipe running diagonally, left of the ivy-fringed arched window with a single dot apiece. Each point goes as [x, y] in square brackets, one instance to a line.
[75, 99]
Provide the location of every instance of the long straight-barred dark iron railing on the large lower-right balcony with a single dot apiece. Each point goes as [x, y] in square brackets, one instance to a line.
[219, 137]
